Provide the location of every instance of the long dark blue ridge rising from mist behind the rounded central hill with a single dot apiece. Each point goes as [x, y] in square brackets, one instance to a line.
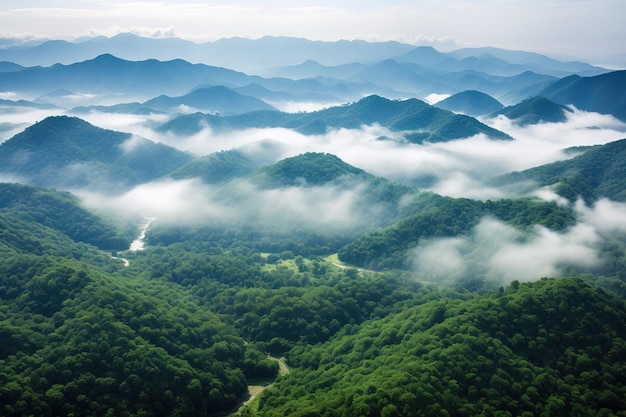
[421, 121]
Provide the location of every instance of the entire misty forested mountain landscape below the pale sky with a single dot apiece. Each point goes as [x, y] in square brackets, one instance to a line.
[176, 236]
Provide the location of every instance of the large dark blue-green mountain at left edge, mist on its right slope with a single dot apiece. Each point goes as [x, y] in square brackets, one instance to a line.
[67, 152]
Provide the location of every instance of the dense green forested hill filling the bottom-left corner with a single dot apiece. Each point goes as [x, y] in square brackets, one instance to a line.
[80, 342]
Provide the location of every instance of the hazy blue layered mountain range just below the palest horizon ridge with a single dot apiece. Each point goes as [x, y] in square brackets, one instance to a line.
[110, 78]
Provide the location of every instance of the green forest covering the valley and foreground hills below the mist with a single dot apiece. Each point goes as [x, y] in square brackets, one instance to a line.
[188, 325]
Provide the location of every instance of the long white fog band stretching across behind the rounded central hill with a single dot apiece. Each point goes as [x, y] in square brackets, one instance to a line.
[456, 168]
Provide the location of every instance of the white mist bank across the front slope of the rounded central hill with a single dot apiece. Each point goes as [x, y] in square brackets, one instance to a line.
[321, 209]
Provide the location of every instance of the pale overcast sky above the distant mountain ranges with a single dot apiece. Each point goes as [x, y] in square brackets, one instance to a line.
[590, 29]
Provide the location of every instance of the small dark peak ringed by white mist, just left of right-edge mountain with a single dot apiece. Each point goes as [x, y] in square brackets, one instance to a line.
[534, 110]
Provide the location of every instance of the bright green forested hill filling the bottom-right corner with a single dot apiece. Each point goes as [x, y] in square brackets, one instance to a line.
[553, 347]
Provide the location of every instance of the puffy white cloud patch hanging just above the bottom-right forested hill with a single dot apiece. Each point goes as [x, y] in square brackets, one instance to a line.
[498, 254]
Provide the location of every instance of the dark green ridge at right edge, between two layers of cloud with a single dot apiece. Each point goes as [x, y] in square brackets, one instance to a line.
[598, 172]
